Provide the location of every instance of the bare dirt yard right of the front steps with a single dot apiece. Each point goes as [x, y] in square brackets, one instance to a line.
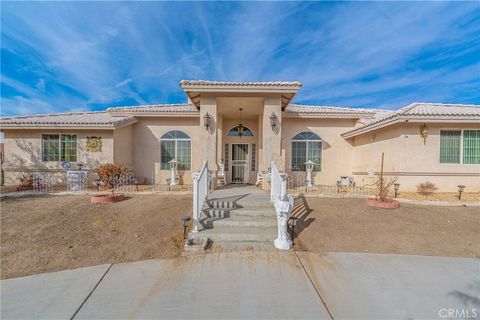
[348, 225]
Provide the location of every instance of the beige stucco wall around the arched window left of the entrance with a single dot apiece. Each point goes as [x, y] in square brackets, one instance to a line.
[146, 146]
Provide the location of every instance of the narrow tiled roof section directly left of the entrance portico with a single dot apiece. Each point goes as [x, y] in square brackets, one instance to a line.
[180, 109]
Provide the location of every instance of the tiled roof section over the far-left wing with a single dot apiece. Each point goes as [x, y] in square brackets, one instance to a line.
[80, 120]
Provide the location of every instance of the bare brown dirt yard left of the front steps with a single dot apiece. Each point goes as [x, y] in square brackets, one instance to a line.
[51, 233]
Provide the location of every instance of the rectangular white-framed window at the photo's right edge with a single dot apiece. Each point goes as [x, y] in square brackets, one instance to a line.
[460, 146]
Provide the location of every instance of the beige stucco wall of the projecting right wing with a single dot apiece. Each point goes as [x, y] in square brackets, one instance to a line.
[407, 157]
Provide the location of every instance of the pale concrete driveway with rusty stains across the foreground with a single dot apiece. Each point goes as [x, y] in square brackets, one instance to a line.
[267, 285]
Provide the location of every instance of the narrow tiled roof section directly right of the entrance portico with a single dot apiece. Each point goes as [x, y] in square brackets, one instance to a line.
[296, 110]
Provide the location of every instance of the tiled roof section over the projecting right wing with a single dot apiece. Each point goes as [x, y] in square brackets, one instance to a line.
[420, 112]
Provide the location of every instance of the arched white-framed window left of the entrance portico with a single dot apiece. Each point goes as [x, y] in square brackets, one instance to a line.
[176, 145]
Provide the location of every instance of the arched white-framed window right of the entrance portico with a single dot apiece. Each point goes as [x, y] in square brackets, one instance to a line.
[306, 146]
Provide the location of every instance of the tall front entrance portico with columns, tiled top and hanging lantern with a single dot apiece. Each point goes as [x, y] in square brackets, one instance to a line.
[261, 104]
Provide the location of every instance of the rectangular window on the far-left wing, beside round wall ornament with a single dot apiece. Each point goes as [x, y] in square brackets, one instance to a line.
[59, 147]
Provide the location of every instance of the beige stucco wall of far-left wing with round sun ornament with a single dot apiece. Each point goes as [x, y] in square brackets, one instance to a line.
[23, 151]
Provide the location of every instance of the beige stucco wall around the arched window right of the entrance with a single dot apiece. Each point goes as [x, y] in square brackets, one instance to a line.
[337, 153]
